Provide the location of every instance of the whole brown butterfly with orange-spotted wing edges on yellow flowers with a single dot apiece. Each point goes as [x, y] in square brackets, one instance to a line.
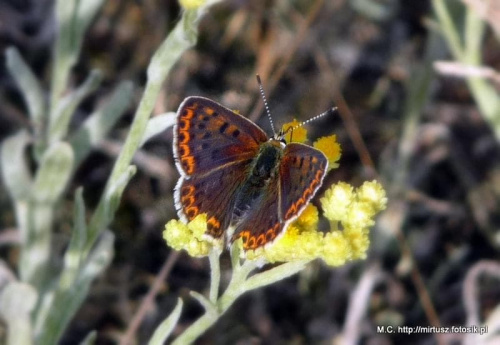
[249, 186]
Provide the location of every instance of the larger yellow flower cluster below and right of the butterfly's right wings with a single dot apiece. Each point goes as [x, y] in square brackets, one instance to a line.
[352, 209]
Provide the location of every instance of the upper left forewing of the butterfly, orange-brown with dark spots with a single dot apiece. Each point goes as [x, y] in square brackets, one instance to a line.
[208, 136]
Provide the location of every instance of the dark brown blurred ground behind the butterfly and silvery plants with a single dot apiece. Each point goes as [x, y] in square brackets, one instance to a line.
[413, 113]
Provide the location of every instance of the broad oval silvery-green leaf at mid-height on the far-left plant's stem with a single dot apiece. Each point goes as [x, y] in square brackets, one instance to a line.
[54, 172]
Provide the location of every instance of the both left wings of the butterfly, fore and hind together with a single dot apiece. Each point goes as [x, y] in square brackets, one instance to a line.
[213, 149]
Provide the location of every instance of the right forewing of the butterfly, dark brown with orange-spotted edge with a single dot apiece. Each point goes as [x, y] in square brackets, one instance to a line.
[301, 171]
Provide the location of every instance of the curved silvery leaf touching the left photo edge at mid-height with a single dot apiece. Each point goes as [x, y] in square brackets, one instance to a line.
[15, 171]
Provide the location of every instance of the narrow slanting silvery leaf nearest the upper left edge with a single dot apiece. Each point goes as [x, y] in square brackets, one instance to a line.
[29, 85]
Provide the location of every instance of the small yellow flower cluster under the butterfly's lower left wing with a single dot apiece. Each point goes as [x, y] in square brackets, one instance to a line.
[190, 237]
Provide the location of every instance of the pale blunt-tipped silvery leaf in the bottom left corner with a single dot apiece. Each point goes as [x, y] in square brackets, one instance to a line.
[17, 301]
